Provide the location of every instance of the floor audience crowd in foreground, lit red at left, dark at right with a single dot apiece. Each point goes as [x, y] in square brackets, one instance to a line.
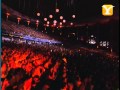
[26, 67]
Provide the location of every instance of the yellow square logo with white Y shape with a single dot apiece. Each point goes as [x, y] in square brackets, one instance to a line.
[107, 10]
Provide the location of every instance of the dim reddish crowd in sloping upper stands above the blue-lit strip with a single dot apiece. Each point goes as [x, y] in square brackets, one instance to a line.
[12, 27]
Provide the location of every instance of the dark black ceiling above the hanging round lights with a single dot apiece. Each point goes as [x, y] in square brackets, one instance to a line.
[83, 9]
